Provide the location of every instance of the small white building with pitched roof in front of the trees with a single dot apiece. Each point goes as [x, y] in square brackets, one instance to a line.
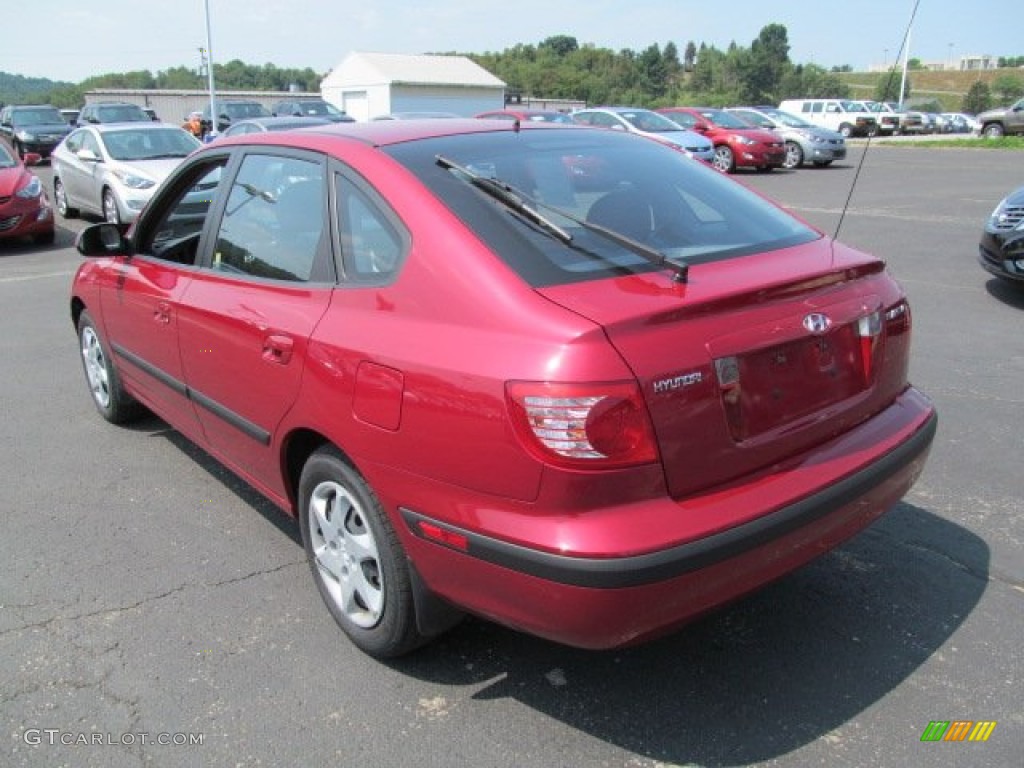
[368, 86]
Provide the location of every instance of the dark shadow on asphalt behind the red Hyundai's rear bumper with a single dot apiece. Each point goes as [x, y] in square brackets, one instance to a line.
[783, 668]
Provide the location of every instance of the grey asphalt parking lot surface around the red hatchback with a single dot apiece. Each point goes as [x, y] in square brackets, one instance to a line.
[154, 611]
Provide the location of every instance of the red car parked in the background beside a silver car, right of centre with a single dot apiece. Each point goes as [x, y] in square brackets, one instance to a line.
[737, 144]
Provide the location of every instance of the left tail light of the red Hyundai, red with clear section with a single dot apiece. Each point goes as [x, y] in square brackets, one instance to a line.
[594, 425]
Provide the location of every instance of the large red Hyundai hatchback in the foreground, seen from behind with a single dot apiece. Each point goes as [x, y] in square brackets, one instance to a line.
[589, 412]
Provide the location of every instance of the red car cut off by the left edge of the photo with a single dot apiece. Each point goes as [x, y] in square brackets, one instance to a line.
[25, 209]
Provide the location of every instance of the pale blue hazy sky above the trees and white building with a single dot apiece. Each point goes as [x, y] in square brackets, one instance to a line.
[76, 40]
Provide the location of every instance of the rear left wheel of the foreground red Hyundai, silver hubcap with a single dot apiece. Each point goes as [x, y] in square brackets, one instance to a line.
[356, 559]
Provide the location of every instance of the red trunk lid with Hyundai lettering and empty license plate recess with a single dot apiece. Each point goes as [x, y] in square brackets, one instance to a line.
[757, 359]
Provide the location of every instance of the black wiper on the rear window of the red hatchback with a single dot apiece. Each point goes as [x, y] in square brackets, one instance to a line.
[520, 202]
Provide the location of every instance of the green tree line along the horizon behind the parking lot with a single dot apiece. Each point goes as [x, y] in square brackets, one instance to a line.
[561, 68]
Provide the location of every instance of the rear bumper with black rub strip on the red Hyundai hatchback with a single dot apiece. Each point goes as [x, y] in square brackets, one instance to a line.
[604, 603]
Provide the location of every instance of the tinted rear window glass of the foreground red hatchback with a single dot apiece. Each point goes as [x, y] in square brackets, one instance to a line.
[628, 184]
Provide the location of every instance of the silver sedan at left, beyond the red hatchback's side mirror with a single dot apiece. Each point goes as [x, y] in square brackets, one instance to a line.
[112, 169]
